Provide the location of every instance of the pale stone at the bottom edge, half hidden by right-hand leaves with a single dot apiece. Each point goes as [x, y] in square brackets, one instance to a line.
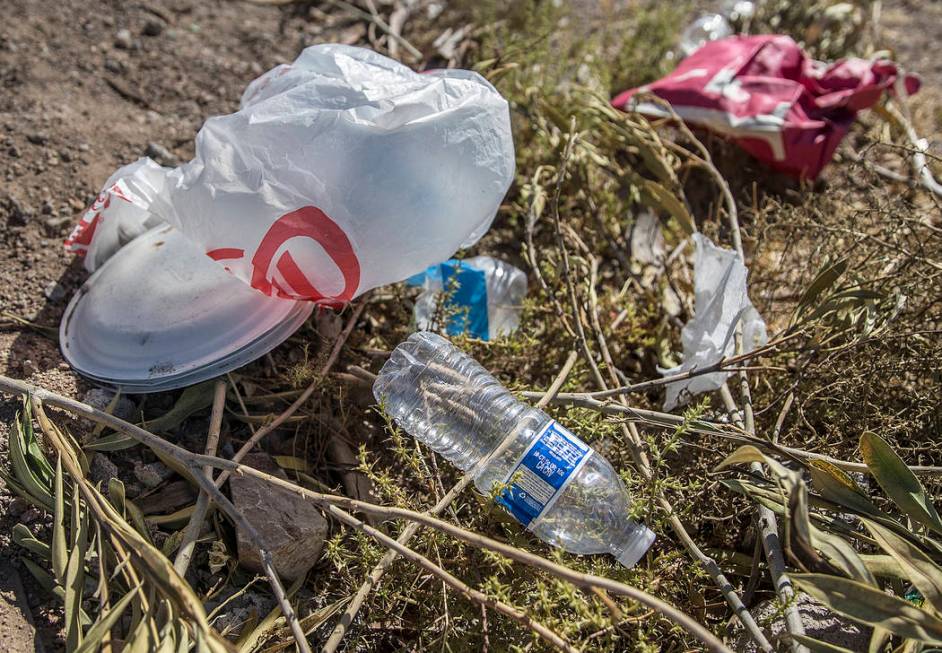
[820, 623]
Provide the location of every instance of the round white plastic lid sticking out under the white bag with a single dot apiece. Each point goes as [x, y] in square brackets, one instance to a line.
[160, 315]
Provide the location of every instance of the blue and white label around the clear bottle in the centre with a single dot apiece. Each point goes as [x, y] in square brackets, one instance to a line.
[542, 474]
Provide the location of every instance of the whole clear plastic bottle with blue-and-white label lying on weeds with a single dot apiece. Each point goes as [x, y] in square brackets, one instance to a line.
[547, 478]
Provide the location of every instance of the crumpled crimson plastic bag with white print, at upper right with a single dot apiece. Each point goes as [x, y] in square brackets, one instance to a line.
[775, 102]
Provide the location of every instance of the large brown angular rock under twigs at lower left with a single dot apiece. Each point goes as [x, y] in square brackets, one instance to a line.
[291, 528]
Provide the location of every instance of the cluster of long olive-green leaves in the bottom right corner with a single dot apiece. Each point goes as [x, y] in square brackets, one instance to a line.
[830, 527]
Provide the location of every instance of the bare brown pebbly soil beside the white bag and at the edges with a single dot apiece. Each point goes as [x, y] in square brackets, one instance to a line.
[90, 85]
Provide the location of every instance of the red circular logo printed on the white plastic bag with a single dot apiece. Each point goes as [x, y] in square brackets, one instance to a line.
[276, 272]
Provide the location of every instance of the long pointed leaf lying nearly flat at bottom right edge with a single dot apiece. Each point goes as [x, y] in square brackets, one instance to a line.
[872, 606]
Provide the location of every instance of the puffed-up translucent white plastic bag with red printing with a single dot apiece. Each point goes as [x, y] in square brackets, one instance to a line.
[340, 172]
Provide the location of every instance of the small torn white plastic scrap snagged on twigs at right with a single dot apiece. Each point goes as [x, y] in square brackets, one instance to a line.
[721, 300]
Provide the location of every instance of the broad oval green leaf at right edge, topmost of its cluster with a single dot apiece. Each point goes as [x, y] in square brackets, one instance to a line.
[898, 481]
